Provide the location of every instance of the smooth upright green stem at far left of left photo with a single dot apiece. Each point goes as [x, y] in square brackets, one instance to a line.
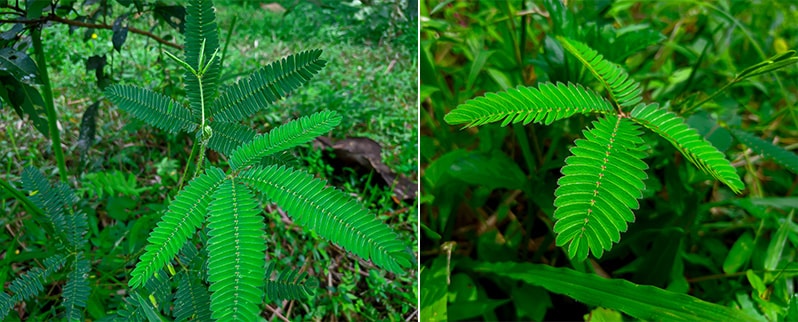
[55, 136]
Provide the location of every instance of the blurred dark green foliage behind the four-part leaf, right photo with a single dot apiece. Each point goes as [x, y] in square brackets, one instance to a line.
[487, 241]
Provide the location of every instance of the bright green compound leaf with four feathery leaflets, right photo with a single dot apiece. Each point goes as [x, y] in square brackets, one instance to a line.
[604, 176]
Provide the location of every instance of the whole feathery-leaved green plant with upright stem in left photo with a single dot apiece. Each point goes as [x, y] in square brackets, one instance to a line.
[225, 203]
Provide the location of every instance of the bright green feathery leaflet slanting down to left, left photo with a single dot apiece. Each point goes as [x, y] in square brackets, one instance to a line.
[185, 214]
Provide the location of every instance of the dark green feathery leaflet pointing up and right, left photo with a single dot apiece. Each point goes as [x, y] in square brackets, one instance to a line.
[266, 86]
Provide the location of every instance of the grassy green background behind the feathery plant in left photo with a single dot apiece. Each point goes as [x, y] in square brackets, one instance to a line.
[122, 180]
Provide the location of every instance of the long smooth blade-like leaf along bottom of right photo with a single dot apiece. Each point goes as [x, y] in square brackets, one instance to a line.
[640, 301]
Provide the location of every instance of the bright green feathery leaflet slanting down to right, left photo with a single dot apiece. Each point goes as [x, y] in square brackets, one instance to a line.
[330, 213]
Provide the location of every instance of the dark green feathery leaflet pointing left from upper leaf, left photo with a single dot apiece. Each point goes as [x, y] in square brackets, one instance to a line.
[151, 107]
